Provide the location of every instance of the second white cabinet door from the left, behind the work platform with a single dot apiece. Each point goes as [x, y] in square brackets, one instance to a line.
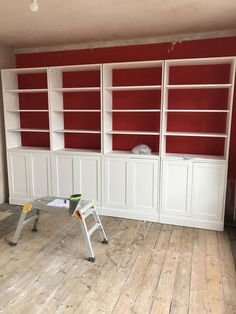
[40, 175]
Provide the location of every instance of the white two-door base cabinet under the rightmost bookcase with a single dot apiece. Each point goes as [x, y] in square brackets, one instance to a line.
[193, 193]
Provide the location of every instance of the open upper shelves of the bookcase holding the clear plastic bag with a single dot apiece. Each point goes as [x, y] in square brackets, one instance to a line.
[132, 105]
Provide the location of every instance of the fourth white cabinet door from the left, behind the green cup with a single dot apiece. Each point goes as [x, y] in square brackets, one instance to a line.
[87, 174]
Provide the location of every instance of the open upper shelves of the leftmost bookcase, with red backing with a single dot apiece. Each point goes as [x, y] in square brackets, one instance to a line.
[25, 94]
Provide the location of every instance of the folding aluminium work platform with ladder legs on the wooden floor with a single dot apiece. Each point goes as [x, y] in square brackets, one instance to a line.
[83, 210]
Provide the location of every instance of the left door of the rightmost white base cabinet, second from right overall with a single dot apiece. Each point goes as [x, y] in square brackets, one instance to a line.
[176, 187]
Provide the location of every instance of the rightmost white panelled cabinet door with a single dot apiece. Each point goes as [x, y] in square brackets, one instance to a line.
[208, 191]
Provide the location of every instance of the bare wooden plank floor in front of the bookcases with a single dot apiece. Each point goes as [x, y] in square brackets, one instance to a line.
[146, 268]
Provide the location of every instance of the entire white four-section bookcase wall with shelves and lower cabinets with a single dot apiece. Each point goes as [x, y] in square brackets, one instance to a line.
[79, 123]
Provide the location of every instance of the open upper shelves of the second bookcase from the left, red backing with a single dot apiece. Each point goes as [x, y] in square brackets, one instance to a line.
[75, 99]
